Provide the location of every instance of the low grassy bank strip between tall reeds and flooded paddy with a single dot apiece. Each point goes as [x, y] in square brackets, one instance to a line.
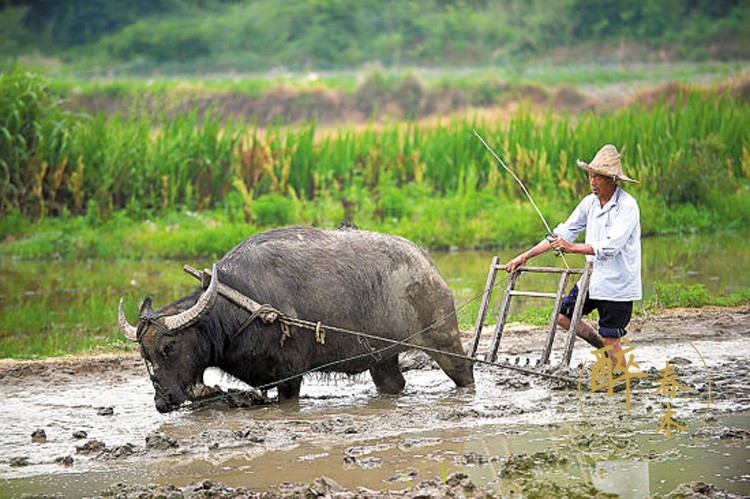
[475, 222]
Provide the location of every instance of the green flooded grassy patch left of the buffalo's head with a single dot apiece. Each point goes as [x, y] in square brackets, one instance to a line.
[53, 308]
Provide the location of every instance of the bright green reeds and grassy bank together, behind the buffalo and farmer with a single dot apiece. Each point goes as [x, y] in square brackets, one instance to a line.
[87, 182]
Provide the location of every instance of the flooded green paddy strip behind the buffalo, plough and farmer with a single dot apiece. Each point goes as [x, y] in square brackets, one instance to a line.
[70, 300]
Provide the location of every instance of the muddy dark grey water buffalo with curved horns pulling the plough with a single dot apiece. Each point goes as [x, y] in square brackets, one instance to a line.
[380, 284]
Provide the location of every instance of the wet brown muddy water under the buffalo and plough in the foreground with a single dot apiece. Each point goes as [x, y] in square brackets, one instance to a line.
[570, 436]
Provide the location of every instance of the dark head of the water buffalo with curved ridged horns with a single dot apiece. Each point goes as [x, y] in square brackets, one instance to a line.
[171, 345]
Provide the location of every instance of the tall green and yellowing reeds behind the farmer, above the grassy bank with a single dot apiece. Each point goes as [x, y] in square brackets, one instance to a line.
[54, 163]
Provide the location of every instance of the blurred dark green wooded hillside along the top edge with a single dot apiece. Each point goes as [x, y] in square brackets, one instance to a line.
[258, 35]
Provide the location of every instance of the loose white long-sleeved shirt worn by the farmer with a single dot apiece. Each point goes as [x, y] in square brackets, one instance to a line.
[614, 231]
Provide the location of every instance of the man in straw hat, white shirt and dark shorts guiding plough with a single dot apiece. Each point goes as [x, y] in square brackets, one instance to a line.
[611, 219]
